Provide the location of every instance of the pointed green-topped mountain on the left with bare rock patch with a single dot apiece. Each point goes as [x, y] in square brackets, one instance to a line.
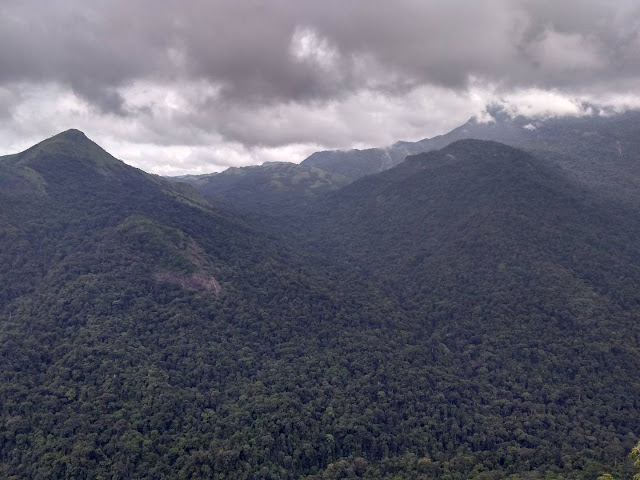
[142, 330]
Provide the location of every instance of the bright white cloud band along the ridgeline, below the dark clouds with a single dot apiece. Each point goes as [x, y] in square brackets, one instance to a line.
[170, 132]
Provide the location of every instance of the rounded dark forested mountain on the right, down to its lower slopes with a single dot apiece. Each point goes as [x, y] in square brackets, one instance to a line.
[519, 286]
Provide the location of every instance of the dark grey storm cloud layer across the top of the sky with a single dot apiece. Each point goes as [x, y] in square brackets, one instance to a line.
[246, 46]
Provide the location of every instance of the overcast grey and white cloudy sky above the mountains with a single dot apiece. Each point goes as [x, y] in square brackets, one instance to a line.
[195, 86]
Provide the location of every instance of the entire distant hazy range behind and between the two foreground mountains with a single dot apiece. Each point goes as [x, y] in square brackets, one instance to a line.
[597, 150]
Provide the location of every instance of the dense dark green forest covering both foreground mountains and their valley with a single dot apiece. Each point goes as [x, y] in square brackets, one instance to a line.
[468, 314]
